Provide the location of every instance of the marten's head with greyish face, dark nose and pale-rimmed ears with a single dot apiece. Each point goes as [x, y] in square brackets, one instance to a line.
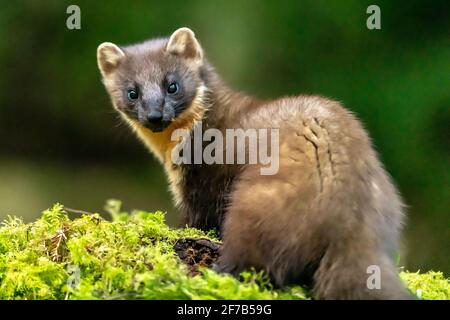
[155, 83]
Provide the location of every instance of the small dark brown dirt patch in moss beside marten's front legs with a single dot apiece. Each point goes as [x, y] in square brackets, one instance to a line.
[197, 253]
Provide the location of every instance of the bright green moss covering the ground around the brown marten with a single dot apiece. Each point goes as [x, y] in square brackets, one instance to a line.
[131, 257]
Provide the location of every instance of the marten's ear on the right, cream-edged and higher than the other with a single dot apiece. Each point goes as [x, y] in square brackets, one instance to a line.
[184, 44]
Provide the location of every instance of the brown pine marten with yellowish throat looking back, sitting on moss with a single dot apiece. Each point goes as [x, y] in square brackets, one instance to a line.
[327, 215]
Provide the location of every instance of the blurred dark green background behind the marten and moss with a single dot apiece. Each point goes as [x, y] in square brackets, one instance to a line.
[61, 141]
